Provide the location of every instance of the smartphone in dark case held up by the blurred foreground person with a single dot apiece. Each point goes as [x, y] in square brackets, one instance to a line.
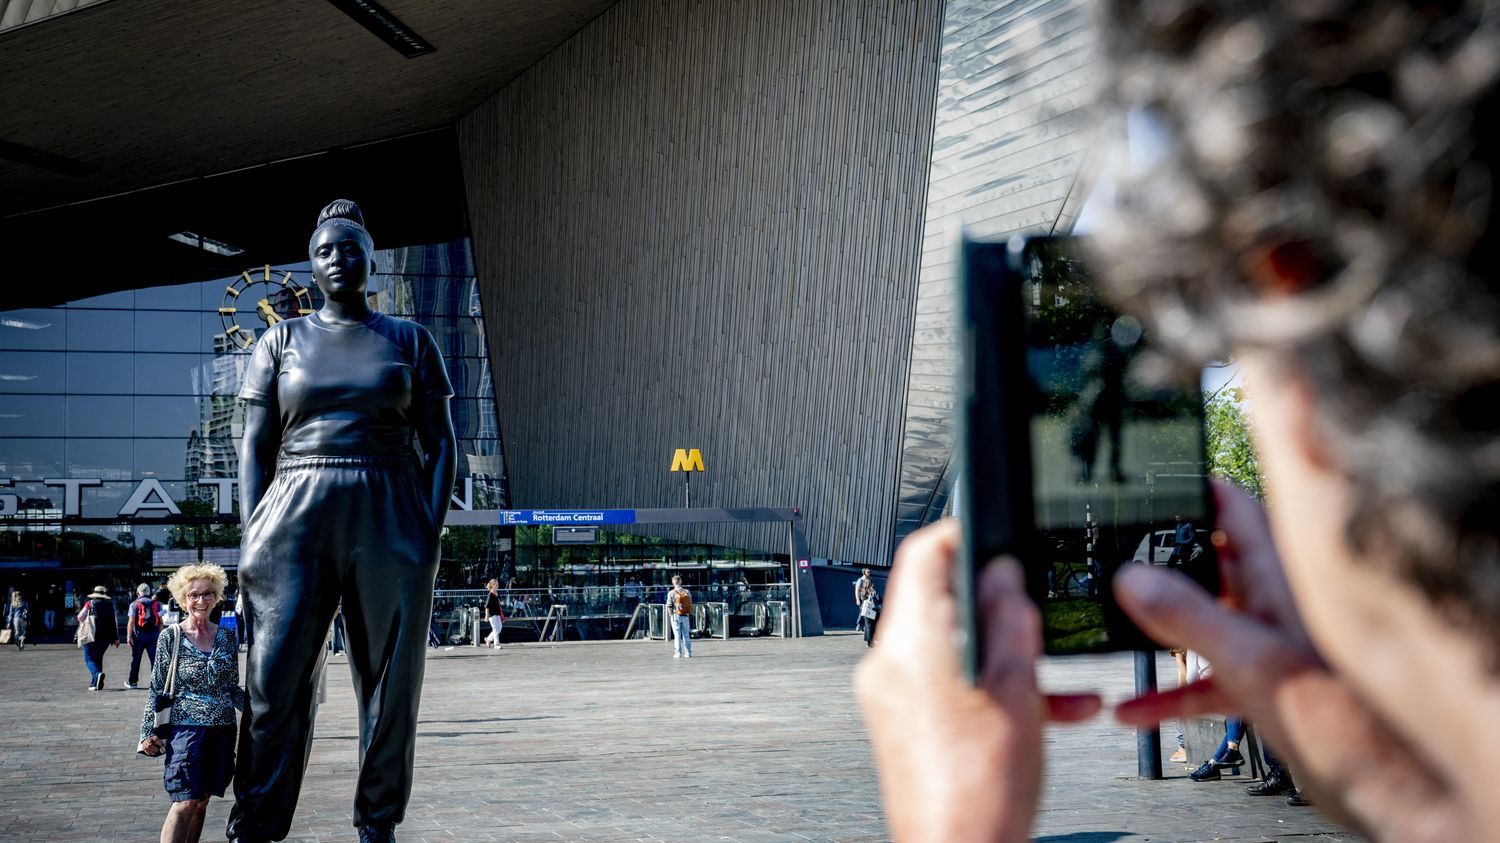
[1081, 451]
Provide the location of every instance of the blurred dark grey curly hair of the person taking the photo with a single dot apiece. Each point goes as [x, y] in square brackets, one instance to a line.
[1328, 193]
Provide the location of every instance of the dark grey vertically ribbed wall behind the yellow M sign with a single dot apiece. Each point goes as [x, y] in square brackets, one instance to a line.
[698, 224]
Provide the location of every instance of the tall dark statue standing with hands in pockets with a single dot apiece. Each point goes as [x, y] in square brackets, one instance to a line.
[338, 505]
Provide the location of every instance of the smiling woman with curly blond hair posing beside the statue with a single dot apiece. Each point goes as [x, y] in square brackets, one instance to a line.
[200, 662]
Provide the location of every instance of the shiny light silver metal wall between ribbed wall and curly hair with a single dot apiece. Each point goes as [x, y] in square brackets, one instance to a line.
[1009, 151]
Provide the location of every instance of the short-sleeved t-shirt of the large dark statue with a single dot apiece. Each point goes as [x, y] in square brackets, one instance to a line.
[346, 391]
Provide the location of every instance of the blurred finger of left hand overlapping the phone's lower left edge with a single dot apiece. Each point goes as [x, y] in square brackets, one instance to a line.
[1012, 631]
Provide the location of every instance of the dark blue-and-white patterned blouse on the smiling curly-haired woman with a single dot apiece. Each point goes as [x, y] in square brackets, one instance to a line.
[208, 689]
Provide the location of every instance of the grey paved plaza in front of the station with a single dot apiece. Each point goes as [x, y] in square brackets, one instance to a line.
[751, 740]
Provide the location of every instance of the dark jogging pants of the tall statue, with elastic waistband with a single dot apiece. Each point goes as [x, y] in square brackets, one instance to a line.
[334, 527]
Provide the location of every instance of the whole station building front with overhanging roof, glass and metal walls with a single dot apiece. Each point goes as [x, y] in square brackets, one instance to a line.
[634, 226]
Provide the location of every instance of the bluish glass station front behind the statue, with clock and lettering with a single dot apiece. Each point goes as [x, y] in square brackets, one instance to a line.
[121, 427]
